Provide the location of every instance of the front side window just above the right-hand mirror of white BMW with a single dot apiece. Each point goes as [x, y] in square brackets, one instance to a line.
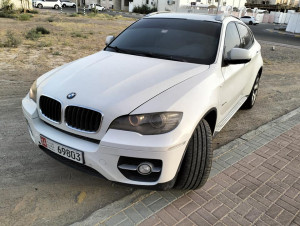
[232, 39]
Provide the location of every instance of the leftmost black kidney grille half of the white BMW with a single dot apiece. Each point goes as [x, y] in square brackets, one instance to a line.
[50, 108]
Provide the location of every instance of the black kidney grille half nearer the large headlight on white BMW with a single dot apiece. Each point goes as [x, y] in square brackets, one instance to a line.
[82, 118]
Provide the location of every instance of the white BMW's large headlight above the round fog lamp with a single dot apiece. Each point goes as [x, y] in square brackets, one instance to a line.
[148, 124]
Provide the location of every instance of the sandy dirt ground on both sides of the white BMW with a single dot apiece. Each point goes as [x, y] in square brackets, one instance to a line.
[37, 190]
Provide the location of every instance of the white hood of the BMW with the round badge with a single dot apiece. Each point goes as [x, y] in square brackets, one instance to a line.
[115, 83]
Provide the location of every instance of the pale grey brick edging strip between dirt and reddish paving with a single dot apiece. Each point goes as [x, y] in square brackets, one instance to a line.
[140, 205]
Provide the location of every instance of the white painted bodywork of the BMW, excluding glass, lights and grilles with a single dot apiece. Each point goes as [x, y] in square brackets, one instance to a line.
[114, 83]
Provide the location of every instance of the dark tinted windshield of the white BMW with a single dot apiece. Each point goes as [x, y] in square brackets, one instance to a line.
[183, 40]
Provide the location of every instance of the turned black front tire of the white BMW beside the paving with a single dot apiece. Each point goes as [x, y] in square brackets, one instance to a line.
[197, 161]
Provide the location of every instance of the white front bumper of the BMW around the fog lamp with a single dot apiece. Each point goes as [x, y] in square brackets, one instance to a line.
[104, 157]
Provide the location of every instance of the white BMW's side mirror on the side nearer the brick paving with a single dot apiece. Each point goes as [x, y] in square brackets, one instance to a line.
[238, 56]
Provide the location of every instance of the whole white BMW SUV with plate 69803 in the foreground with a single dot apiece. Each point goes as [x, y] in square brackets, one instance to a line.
[143, 111]
